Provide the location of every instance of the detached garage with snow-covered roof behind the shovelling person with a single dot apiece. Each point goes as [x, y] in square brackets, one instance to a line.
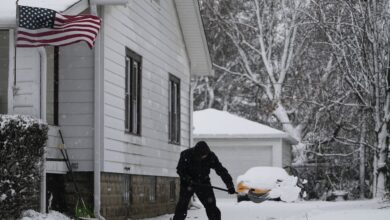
[240, 143]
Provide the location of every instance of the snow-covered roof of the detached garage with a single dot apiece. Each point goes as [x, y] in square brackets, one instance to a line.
[215, 123]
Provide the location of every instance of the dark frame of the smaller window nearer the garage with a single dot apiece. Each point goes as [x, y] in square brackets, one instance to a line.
[174, 137]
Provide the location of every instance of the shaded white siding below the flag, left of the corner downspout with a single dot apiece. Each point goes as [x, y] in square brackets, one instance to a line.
[76, 91]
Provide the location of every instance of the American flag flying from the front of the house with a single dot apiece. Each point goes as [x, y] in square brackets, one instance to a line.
[42, 27]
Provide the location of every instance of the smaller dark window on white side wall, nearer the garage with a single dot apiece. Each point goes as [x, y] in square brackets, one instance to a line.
[174, 110]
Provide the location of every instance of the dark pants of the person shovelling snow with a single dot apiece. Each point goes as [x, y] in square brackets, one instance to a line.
[206, 197]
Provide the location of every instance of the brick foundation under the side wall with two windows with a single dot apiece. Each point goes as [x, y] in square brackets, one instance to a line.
[147, 196]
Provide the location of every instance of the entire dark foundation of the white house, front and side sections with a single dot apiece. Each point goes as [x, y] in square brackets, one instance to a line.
[123, 196]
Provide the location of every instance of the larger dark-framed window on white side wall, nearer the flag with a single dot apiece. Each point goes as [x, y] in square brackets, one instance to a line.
[133, 93]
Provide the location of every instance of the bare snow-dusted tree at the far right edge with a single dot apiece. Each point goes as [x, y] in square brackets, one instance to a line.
[360, 37]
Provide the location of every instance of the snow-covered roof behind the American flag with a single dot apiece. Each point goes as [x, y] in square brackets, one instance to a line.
[8, 8]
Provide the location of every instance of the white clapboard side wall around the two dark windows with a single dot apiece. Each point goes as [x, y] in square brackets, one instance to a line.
[152, 31]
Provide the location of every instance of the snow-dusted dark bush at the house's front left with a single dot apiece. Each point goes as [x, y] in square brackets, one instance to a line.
[22, 141]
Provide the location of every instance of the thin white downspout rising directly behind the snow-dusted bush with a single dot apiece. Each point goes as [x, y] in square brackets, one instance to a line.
[43, 86]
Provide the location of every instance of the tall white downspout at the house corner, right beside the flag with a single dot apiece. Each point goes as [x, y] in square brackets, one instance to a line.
[99, 104]
